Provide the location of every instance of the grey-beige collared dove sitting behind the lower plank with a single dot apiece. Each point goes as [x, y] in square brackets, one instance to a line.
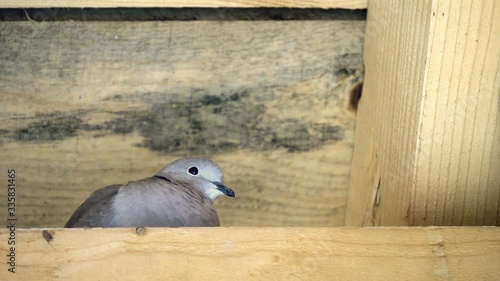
[180, 194]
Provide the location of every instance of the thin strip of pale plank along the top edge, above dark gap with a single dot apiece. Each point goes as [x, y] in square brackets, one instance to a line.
[324, 4]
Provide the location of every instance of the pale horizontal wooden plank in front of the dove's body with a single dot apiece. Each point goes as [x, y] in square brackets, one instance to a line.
[456, 253]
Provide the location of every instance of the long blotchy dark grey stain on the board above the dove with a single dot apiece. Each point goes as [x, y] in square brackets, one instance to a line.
[188, 125]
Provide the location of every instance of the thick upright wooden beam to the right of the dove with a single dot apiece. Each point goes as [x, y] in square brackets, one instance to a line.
[427, 144]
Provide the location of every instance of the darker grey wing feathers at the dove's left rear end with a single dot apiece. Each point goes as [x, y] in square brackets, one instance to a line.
[97, 210]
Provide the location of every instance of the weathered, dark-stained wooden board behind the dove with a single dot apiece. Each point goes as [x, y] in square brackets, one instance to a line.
[88, 104]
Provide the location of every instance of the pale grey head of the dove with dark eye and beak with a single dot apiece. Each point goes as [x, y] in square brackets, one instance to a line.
[203, 174]
